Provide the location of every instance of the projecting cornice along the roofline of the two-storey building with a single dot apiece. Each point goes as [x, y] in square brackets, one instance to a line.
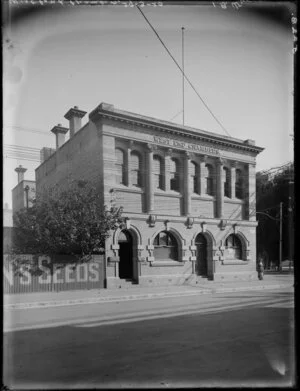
[172, 129]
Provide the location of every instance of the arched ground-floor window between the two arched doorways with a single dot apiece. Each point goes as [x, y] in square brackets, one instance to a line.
[165, 247]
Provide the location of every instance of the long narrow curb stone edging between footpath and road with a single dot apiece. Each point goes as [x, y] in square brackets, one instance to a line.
[61, 303]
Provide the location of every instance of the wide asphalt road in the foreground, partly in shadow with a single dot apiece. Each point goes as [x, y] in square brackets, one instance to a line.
[232, 339]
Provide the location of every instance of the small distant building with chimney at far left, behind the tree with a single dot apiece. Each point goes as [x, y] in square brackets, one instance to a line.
[24, 192]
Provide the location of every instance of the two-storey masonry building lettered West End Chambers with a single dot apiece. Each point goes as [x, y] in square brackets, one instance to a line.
[188, 195]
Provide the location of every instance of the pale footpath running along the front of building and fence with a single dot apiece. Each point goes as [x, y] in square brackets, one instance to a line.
[136, 292]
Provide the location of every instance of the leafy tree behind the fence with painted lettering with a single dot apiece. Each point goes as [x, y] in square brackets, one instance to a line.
[71, 221]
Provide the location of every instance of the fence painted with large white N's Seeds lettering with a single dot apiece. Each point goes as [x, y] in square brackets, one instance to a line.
[28, 273]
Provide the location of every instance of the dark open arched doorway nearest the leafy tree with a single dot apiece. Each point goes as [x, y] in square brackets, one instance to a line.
[126, 255]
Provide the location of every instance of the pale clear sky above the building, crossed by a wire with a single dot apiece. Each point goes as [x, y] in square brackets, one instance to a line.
[240, 61]
